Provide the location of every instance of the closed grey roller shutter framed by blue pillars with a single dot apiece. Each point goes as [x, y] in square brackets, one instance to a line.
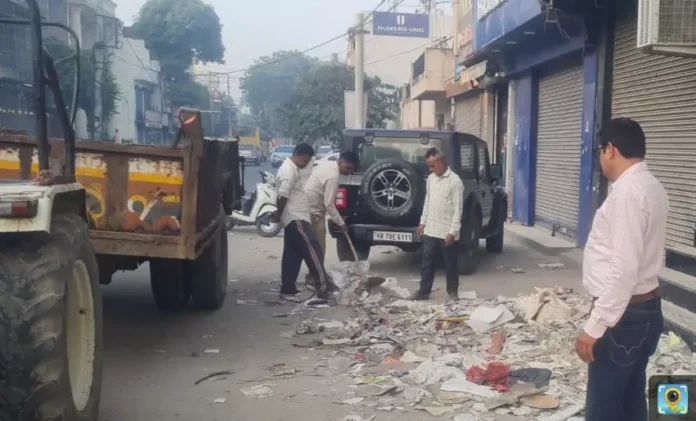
[559, 139]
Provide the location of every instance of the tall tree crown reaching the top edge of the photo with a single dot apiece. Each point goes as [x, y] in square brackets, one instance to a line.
[179, 32]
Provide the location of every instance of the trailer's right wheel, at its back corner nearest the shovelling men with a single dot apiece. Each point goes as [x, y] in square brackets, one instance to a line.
[208, 273]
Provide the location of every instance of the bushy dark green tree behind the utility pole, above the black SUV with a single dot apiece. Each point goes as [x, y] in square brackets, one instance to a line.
[315, 110]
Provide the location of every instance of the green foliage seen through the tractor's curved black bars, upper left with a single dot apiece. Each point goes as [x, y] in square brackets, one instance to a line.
[111, 91]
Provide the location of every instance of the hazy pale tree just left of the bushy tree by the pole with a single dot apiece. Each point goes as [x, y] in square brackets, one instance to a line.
[270, 82]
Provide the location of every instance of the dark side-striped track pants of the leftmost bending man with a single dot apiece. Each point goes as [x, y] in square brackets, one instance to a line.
[300, 244]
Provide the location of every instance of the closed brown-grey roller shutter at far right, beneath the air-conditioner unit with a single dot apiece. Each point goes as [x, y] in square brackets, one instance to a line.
[660, 93]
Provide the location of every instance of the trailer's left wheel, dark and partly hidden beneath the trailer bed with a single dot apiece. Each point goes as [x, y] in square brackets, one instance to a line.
[168, 284]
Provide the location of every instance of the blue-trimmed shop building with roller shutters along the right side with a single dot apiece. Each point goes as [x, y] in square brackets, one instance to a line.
[539, 79]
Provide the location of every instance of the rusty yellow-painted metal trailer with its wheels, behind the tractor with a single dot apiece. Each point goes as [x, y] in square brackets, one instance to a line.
[165, 205]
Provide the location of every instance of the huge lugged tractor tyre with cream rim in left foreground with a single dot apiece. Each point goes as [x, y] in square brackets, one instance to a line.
[51, 352]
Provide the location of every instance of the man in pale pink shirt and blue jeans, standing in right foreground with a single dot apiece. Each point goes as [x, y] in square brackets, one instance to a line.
[622, 258]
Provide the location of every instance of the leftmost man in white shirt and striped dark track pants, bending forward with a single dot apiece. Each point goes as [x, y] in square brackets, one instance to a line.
[299, 241]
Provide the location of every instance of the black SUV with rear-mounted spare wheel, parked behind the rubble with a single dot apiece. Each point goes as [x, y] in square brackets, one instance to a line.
[382, 200]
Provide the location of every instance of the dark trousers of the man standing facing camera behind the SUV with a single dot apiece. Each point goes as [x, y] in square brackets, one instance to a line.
[432, 249]
